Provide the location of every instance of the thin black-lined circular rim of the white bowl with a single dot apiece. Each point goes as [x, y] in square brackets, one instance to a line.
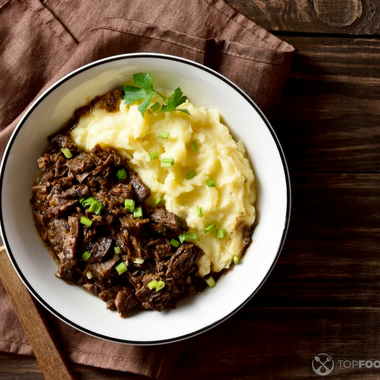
[134, 56]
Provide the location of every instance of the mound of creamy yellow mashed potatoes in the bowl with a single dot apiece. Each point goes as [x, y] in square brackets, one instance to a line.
[230, 204]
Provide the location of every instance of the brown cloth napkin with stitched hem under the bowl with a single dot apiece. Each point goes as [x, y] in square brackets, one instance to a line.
[40, 41]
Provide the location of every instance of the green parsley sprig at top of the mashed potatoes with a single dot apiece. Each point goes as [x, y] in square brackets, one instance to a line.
[144, 90]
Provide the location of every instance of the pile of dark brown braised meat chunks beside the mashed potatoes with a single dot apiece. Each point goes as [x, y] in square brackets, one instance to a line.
[104, 235]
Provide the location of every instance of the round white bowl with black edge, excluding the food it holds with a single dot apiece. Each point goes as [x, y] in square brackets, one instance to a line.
[88, 313]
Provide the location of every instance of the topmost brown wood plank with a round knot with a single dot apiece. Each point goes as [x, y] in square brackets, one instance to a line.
[359, 17]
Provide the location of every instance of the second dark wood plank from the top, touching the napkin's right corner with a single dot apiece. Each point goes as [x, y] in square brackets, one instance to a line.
[328, 117]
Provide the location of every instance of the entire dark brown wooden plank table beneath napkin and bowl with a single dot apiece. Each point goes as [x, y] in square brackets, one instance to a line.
[324, 294]
